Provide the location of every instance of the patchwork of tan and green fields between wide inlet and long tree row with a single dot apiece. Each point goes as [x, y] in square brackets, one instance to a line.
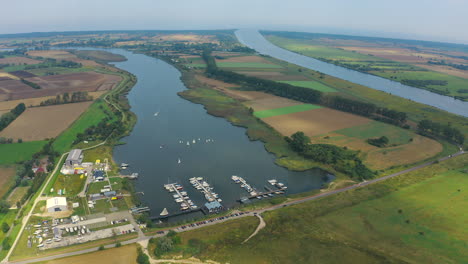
[328, 126]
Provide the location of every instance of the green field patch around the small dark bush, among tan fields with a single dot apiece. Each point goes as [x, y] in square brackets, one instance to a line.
[375, 129]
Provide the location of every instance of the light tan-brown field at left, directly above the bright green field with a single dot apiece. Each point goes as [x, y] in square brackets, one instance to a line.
[38, 123]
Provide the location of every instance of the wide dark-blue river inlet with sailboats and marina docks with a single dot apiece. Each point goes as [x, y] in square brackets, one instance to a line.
[153, 148]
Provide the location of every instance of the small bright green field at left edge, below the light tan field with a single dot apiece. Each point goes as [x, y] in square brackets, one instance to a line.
[17, 152]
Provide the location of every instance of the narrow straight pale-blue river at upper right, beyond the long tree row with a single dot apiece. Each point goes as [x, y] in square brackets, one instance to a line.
[253, 39]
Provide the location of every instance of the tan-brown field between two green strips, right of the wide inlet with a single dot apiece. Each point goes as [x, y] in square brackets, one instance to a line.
[314, 122]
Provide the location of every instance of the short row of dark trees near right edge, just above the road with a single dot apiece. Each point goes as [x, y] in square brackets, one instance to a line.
[430, 128]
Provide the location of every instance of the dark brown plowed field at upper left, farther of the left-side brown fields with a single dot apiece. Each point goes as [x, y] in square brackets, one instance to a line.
[57, 84]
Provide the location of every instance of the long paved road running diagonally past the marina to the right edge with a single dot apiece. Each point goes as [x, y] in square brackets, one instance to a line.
[251, 213]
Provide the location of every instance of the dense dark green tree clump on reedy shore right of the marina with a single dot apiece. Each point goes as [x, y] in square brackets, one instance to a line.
[341, 159]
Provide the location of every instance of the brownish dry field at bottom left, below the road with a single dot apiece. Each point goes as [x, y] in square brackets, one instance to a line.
[122, 255]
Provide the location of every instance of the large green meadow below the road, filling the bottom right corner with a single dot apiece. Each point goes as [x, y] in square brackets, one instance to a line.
[401, 220]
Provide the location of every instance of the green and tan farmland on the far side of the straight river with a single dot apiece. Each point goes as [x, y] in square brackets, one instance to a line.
[392, 62]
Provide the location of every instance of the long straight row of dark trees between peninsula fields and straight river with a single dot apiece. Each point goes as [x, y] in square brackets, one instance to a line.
[305, 95]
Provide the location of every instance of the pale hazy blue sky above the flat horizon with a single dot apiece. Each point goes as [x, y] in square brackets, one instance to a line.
[438, 20]
